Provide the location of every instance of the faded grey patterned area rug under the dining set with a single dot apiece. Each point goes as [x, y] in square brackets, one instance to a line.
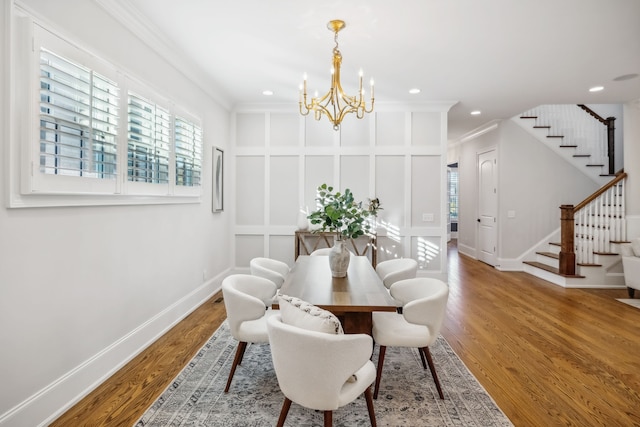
[407, 397]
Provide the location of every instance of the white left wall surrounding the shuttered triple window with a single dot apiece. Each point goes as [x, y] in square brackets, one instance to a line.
[82, 289]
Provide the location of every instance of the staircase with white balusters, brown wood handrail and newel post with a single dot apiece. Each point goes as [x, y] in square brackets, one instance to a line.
[583, 253]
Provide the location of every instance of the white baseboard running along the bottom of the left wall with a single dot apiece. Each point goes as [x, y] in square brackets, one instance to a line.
[49, 403]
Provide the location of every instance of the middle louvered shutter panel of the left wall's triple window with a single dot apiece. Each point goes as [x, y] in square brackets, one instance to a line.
[149, 141]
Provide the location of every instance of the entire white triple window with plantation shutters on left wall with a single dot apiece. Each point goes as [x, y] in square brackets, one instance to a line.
[92, 134]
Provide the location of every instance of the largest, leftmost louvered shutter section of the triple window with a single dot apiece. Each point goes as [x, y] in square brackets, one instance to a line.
[78, 120]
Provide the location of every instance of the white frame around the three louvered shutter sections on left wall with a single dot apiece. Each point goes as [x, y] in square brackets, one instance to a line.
[32, 188]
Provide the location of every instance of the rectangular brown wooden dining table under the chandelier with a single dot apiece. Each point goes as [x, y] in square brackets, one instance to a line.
[352, 299]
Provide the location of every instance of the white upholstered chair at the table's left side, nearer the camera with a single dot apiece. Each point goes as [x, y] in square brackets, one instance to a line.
[244, 299]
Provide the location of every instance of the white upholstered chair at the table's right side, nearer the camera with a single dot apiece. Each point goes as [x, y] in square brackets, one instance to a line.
[417, 326]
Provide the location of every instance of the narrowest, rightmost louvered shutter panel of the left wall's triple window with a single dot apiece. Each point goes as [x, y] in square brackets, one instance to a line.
[188, 140]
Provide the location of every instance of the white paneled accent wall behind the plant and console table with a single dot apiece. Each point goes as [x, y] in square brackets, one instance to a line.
[279, 158]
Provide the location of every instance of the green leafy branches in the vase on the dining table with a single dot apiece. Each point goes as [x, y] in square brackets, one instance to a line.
[340, 213]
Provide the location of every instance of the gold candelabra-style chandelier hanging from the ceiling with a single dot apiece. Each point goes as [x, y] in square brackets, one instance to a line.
[335, 104]
